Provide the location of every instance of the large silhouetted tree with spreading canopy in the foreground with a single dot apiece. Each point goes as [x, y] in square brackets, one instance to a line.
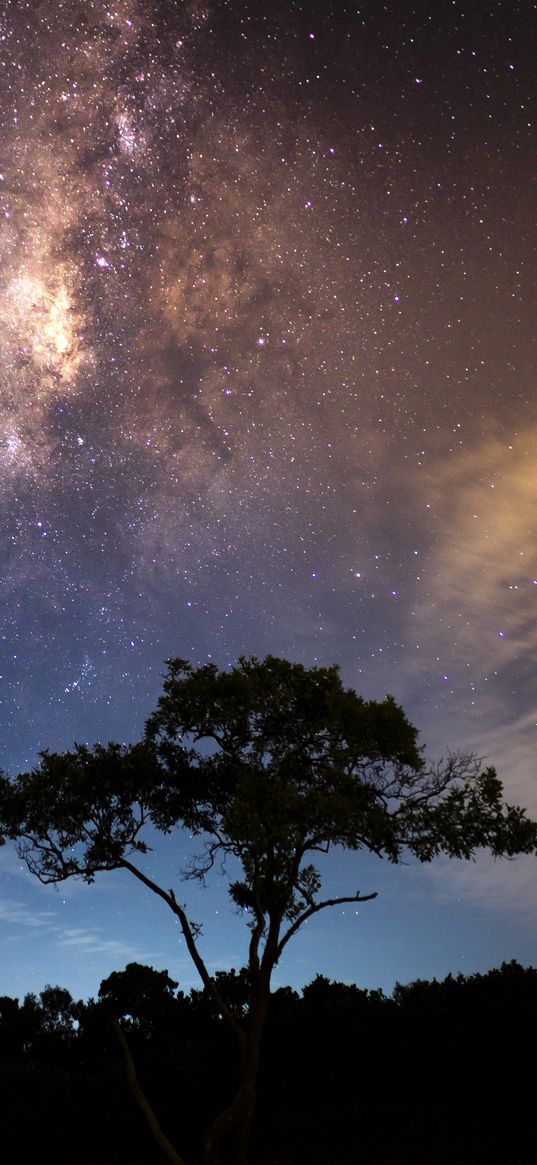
[271, 765]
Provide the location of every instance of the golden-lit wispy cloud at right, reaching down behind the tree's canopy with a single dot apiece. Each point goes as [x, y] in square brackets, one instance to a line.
[477, 612]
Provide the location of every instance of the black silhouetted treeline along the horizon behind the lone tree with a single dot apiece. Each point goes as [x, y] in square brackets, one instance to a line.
[436, 1072]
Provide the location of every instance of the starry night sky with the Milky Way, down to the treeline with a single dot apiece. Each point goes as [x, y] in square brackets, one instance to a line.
[267, 324]
